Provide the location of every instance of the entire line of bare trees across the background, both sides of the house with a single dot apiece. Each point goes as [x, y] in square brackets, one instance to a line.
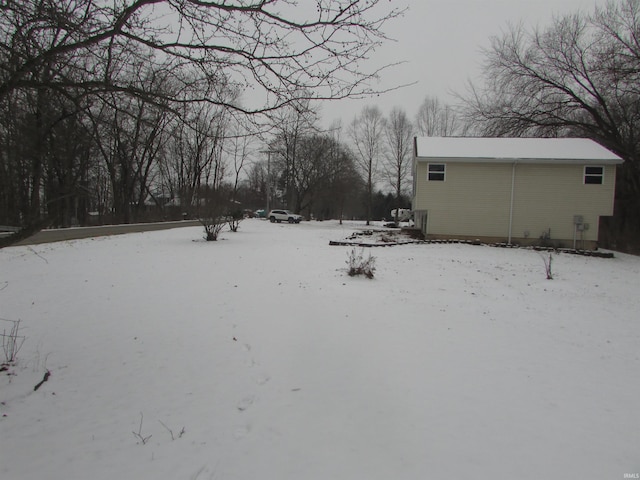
[111, 107]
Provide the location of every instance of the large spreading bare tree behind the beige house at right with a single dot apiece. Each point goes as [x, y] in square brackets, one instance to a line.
[578, 77]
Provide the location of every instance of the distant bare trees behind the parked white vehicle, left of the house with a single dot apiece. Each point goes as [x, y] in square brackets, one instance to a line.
[361, 170]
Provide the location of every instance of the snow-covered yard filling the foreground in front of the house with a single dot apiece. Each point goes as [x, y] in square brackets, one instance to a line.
[455, 361]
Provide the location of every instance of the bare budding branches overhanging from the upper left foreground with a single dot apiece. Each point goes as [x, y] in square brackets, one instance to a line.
[278, 51]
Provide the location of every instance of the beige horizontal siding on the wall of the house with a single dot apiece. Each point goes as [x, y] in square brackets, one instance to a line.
[474, 200]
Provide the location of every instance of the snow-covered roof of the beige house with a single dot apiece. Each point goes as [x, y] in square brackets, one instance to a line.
[509, 150]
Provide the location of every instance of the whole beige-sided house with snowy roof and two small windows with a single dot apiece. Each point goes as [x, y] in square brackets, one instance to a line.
[524, 191]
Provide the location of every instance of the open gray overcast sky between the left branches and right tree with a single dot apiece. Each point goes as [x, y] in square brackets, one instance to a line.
[441, 42]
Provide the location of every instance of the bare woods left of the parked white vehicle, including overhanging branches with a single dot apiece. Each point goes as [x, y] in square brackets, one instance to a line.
[109, 106]
